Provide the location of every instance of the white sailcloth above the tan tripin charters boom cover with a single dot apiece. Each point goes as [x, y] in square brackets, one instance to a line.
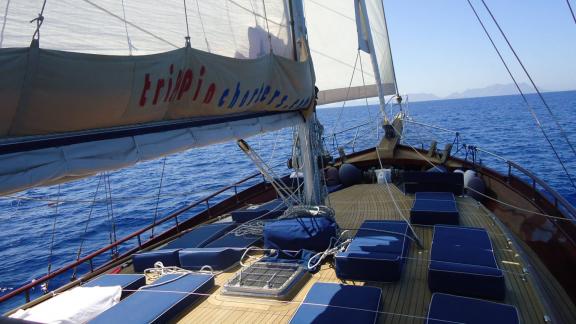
[233, 28]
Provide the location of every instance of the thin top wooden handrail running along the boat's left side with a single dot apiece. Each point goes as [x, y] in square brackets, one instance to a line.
[92, 255]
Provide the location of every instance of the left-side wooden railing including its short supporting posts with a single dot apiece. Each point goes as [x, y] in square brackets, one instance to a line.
[138, 235]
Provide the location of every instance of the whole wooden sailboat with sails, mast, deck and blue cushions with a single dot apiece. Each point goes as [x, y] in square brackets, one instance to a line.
[390, 234]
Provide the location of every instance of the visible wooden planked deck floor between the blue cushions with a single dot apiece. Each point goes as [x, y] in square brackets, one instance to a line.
[405, 301]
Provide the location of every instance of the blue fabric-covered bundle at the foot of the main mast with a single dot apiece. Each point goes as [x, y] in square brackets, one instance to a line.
[308, 233]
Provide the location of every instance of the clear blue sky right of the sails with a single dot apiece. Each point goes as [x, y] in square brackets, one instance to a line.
[439, 47]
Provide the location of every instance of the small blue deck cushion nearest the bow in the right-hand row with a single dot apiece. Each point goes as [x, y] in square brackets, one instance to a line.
[431, 208]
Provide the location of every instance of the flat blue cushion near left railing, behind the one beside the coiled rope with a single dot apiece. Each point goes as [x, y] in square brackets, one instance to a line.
[200, 236]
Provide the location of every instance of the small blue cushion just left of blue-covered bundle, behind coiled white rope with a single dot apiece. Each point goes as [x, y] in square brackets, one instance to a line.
[216, 258]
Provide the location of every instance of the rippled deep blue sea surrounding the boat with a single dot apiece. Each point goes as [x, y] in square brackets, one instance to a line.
[502, 125]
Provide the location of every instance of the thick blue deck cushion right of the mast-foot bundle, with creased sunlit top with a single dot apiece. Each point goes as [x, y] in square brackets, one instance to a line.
[377, 253]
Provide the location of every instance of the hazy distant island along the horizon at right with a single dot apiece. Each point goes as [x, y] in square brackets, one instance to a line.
[489, 91]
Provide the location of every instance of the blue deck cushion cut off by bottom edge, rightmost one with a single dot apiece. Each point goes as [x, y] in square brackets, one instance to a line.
[455, 309]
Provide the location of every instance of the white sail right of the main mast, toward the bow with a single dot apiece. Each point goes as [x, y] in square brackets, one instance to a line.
[343, 72]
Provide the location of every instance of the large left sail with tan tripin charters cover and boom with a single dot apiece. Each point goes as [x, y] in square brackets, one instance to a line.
[68, 114]
